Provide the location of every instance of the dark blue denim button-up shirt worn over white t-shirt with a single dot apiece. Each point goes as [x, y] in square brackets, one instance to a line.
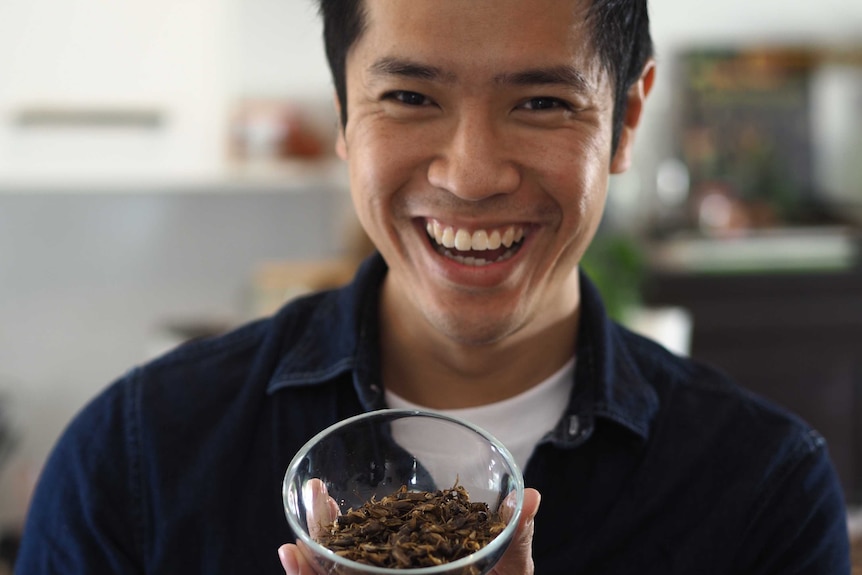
[659, 466]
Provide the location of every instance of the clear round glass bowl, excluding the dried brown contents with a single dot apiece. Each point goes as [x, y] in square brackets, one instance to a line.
[374, 454]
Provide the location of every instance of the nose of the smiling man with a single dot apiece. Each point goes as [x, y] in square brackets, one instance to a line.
[474, 161]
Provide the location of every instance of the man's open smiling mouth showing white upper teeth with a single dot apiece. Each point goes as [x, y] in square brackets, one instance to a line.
[479, 247]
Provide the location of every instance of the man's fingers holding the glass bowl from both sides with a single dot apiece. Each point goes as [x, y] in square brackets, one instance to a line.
[518, 559]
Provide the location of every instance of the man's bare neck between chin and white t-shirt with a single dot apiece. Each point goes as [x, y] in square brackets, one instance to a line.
[426, 367]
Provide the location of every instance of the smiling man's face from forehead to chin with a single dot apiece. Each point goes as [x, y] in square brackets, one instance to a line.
[479, 147]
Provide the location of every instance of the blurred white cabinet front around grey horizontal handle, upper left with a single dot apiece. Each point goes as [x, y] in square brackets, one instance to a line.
[150, 55]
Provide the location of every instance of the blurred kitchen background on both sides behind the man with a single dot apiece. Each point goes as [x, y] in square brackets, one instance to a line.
[166, 172]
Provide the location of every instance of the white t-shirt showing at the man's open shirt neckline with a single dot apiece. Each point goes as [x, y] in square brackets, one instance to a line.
[505, 419]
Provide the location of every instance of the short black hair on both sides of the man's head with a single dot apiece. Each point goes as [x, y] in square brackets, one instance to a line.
[621, 33]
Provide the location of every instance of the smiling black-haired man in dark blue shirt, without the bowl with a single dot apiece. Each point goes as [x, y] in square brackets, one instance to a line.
[480, 135]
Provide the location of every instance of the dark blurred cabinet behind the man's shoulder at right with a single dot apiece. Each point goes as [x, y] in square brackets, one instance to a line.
[795, 338]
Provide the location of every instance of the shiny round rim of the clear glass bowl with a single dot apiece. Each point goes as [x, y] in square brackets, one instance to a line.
[503, 538]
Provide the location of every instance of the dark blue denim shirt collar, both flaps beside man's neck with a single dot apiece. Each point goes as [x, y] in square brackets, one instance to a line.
[340, 334]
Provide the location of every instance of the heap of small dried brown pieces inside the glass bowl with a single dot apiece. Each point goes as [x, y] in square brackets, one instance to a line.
[410, 529]
